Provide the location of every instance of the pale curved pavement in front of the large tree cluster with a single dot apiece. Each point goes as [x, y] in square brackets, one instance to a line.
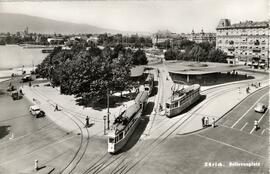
[71, 117]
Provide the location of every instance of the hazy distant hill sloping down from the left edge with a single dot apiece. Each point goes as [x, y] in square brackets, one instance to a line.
[18, 22]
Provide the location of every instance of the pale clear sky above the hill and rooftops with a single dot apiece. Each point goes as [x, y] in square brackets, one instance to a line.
[180, 16]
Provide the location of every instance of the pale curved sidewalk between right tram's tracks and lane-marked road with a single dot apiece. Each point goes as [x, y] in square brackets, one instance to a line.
[216, 109]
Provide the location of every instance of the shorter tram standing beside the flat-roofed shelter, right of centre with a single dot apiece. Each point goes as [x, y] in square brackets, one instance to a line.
[182, 99]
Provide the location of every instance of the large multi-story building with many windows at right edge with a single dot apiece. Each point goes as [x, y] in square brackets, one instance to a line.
[246, 42]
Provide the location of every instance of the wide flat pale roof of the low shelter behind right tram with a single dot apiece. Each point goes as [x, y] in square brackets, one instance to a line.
[209, 68]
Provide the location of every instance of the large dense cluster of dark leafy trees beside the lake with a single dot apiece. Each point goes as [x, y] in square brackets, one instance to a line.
[91, 73]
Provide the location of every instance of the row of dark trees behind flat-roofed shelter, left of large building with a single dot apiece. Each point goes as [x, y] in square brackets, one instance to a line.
[191, 51]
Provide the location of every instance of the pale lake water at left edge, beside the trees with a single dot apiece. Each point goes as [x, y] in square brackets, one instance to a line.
[14, 56]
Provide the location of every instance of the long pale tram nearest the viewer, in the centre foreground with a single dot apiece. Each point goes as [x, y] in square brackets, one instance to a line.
[125, 124]
